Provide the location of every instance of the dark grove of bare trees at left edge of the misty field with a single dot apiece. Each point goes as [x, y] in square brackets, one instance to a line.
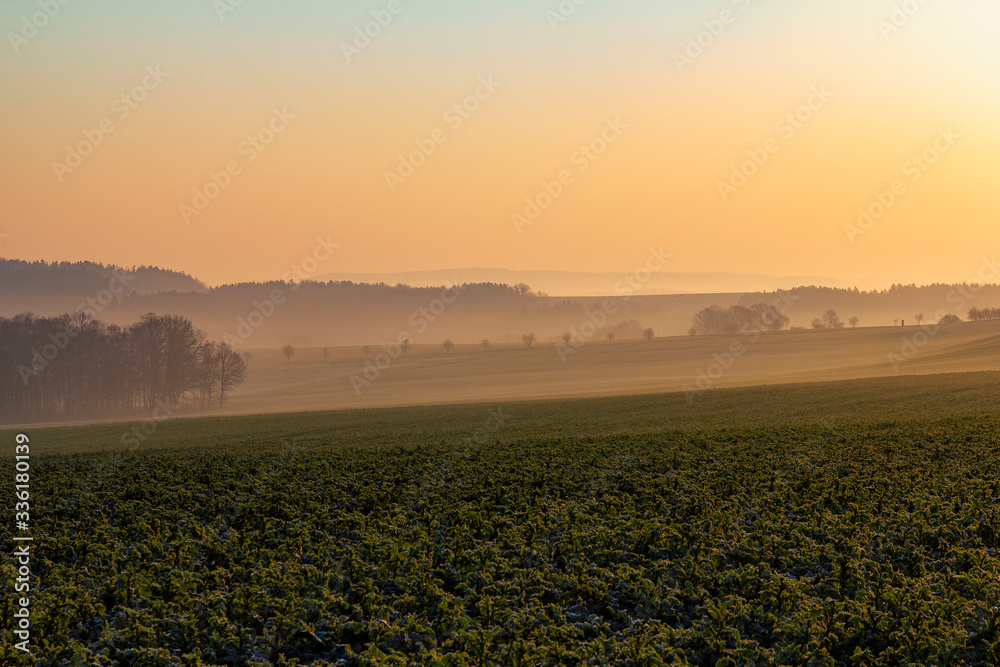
[75, 367]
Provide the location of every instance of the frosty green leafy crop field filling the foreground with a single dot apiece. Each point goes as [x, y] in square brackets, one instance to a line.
[852, 523]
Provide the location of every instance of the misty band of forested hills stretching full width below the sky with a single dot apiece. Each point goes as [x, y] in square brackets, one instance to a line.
[348, 313]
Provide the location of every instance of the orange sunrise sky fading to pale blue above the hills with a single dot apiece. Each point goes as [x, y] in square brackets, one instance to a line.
[225, 138]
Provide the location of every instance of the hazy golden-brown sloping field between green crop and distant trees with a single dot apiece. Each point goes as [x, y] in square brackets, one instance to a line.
[427, 374]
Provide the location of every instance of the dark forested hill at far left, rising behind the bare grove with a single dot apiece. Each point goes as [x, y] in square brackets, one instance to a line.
[59, 287]
